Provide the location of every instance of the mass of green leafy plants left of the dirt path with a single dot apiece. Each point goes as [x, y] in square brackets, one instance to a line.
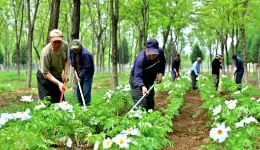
[107, 117]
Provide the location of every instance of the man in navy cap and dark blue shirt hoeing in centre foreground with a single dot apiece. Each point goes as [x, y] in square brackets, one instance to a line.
[149, 66]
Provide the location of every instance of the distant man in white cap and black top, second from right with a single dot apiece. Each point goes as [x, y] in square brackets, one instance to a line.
[216, 65]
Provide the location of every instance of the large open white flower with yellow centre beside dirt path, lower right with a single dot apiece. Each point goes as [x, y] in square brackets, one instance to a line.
[220, 133]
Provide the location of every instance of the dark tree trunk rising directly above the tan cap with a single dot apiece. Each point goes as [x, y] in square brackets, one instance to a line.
[54, 16]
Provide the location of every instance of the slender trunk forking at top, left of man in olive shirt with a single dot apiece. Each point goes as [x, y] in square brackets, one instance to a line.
[30, 39]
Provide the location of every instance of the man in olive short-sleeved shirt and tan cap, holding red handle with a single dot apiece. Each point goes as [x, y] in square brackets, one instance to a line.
[54, 64]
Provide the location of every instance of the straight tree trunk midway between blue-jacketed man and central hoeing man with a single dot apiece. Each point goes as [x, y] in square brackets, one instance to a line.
[114, 12]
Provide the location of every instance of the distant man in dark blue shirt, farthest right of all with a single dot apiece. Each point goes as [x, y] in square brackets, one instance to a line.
[239, 70]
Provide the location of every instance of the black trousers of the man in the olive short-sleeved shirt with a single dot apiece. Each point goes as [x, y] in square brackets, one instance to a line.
[48, 88]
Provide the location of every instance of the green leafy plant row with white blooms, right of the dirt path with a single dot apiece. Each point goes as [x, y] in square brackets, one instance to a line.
[241, 136]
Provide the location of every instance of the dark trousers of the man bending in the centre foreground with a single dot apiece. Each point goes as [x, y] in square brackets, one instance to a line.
[136, 92]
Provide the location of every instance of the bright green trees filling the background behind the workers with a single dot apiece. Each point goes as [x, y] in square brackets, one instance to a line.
[116, 30]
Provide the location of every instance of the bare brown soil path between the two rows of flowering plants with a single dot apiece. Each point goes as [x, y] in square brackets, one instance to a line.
[189, 131]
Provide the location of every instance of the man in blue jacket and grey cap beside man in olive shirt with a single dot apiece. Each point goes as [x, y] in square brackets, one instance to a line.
[82, 61]
